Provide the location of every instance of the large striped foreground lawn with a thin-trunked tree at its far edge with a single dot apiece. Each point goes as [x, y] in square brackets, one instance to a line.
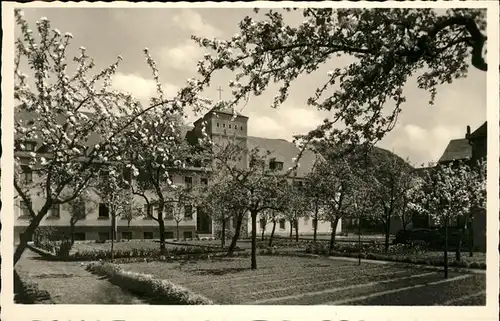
[296, 280]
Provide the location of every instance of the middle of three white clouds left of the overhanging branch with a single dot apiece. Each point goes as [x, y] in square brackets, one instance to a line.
[182, 57]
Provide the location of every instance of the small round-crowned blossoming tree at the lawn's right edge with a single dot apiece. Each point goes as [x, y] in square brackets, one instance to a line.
[446, 195]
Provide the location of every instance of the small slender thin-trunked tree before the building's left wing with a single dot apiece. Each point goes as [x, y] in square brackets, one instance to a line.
[114, 191]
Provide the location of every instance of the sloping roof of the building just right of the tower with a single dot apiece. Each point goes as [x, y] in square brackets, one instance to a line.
[285, 151]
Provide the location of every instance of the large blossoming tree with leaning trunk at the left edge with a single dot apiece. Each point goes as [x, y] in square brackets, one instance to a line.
[64, 113]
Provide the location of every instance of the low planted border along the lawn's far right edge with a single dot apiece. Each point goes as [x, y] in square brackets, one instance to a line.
[396, 253]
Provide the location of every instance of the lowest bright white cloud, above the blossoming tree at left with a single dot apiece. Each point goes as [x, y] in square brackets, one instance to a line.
[139, 87]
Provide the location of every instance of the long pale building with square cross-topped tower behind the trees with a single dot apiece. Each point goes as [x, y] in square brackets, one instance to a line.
[221, 126]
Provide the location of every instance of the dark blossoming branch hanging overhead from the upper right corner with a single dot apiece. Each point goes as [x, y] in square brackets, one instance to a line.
[386, 47]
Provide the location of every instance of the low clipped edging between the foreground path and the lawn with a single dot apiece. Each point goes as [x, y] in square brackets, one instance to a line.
[162, 291]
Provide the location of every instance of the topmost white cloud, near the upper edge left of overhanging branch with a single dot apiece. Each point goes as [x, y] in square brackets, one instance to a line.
[193, 22]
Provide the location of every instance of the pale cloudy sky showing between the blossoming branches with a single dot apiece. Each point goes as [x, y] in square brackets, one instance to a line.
[421, 134]
